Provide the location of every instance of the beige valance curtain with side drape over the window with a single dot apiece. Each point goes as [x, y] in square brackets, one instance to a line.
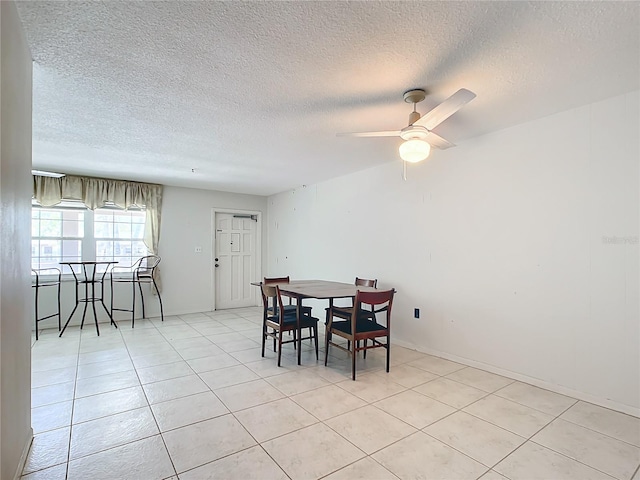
[98, 192]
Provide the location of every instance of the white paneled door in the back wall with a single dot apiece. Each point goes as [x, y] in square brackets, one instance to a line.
[235, 260]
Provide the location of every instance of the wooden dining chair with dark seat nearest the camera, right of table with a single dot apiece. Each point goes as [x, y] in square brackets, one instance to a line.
[363, 325]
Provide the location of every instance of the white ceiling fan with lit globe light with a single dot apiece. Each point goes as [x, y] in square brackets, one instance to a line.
[418, 135]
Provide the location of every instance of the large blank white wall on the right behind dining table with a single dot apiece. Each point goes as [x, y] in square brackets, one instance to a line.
[501, 244]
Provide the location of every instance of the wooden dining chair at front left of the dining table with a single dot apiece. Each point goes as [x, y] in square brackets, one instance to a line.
[275, 324]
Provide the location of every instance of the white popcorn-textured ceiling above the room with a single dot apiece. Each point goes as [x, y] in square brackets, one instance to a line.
[248, 96]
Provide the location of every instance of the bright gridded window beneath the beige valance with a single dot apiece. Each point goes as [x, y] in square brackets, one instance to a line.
[69, 232]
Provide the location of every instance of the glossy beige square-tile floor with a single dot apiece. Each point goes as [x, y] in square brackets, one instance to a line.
[192, 398]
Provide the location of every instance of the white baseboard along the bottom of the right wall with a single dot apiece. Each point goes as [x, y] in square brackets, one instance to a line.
[603, 402]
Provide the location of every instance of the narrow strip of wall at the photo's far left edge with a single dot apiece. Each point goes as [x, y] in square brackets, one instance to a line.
[15, 233]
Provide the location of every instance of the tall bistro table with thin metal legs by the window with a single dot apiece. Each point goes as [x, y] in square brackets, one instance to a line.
[87, 275]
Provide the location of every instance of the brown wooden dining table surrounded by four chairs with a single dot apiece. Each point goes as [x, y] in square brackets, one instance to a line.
[316, 289]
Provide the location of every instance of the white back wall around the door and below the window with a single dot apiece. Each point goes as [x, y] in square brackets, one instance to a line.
[187, 280]
